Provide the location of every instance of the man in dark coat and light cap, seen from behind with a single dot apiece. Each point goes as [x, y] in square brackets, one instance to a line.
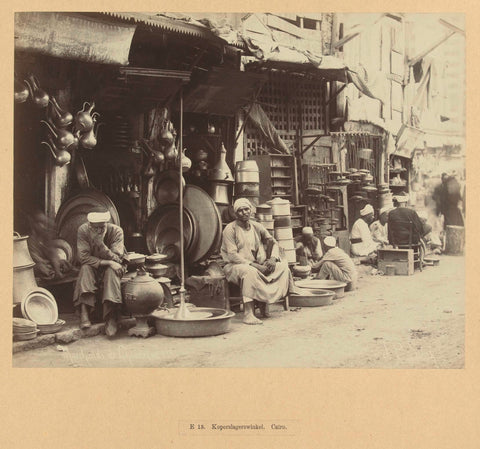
[404, 224]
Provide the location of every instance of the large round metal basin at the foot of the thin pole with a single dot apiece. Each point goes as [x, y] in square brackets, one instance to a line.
[202, 322]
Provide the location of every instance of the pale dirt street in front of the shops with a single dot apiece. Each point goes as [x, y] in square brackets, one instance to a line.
[388, 322]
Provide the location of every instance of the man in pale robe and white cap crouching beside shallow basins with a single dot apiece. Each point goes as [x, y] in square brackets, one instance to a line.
[337, 265]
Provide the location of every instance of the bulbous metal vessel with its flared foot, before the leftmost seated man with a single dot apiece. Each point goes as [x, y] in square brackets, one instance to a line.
[141, 296]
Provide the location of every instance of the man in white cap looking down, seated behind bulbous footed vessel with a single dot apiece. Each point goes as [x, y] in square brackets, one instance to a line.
[100, 250]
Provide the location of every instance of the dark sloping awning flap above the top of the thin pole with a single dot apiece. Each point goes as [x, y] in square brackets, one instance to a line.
[222, 92]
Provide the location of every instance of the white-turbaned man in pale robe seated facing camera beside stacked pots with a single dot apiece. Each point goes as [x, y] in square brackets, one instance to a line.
[253, 262]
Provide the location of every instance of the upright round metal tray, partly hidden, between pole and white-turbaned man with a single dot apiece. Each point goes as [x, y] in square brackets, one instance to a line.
[206, 214]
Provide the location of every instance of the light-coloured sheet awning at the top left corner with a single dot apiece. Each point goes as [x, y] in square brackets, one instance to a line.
[73, 36]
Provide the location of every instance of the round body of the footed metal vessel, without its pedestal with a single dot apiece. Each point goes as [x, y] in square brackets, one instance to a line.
[142, 294]
